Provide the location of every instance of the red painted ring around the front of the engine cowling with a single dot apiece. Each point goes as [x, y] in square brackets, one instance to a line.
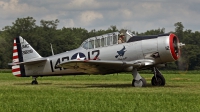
[171, 37]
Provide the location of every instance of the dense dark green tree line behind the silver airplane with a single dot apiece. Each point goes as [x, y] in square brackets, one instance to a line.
[65, 39]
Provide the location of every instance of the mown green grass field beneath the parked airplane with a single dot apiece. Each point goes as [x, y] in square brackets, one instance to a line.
[109, 93]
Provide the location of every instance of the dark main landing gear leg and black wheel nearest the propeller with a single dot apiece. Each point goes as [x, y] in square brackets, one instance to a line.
[157, 79]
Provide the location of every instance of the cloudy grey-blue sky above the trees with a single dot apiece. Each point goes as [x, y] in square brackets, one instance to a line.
[135, 15]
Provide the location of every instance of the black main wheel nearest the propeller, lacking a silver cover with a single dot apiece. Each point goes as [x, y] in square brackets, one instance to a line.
[159, 82]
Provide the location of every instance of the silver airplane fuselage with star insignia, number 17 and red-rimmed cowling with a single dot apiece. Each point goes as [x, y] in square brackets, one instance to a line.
[160, 48]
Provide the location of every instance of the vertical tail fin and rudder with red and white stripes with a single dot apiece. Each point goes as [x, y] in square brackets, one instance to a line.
[22, 51]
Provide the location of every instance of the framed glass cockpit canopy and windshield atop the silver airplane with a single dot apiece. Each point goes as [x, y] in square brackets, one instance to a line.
[104, 40]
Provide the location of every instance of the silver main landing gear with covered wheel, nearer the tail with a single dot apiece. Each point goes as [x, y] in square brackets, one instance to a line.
[138, 81]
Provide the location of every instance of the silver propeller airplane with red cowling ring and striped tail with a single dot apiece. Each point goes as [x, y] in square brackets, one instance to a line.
[105, 54]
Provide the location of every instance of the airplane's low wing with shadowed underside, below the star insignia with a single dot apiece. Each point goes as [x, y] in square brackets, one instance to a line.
[104, 67]
